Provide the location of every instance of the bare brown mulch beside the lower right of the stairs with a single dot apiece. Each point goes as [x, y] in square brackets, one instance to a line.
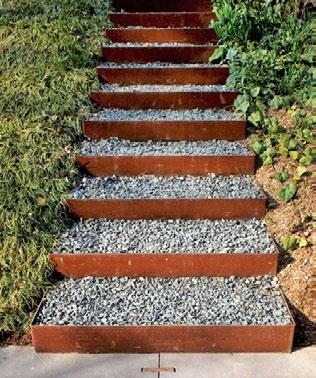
[295, 266]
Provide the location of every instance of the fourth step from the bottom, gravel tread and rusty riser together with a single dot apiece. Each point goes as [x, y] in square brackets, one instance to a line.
[122, 157]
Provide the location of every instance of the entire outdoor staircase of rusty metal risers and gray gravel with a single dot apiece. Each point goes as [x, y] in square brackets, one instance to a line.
[193, 270]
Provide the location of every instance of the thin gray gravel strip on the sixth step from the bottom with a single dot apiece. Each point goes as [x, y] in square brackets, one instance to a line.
[165, 88]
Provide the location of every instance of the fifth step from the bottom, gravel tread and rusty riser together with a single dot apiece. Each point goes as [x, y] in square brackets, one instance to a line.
[150, 124]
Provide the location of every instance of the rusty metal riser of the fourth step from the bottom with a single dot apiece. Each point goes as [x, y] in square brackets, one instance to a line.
[167, 165]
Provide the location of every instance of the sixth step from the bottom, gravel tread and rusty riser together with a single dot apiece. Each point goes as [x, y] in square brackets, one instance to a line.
[165, 96]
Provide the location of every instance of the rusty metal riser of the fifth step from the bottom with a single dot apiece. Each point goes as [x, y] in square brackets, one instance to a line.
[165, 130]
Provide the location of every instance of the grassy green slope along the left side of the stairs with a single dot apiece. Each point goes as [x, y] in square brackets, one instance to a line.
[48, 52]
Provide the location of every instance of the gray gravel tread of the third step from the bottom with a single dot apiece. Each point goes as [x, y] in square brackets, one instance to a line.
[148, 186]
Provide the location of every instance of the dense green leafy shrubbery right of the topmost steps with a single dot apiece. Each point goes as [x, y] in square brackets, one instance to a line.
[268, 46]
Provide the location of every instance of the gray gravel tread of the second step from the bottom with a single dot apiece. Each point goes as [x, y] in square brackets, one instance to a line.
[166, 236]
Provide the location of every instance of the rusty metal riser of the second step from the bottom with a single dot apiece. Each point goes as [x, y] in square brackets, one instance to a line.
[78, 265]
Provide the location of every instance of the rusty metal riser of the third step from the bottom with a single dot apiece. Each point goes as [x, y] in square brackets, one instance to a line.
[168, 208]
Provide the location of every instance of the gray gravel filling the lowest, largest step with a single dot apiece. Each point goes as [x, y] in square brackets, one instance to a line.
[165, 301]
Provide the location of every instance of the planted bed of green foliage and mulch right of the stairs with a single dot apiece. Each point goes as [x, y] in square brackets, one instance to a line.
[268, 47]
